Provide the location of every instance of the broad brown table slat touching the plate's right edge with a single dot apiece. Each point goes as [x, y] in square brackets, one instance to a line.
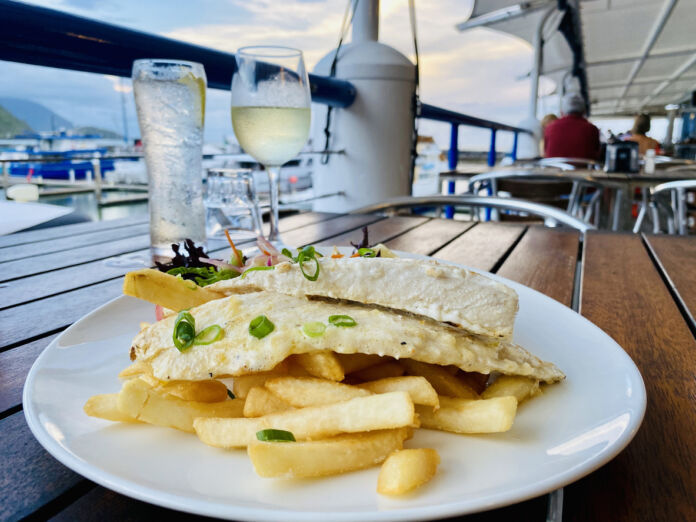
[654, 478]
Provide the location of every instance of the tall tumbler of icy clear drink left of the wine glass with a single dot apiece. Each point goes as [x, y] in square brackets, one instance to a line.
[170, 101]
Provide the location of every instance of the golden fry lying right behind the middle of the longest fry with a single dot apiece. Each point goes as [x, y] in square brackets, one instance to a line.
[310, 391]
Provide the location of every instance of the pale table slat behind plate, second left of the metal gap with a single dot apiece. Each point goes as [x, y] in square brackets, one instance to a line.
[483, 246]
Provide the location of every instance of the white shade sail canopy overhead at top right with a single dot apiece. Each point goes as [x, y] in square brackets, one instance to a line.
[639, 55]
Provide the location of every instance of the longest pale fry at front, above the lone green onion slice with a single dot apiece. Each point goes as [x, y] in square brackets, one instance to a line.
[376, 412]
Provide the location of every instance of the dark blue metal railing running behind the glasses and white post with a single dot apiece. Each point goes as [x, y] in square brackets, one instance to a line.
[46, 37]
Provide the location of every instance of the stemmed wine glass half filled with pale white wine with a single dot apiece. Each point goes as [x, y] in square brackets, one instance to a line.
[271, 110]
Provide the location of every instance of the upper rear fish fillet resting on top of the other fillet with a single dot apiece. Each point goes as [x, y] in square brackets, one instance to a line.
[444, 293]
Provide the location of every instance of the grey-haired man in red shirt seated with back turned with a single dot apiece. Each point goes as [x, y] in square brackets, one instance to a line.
[572, 136]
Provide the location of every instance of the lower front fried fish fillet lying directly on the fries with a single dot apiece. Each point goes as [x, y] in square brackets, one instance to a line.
[377, 331]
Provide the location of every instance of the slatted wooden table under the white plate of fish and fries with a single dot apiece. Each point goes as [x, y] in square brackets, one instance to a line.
[639, 289]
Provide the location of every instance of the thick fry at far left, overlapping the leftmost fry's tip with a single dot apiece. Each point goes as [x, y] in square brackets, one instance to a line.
[153, 406]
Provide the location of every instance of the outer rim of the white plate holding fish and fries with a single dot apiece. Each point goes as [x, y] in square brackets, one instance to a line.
[226, 511]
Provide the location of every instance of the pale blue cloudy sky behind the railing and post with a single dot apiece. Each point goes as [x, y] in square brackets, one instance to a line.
[479, 72]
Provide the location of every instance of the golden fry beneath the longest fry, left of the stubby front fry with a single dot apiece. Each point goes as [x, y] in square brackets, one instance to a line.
[324, 457]
